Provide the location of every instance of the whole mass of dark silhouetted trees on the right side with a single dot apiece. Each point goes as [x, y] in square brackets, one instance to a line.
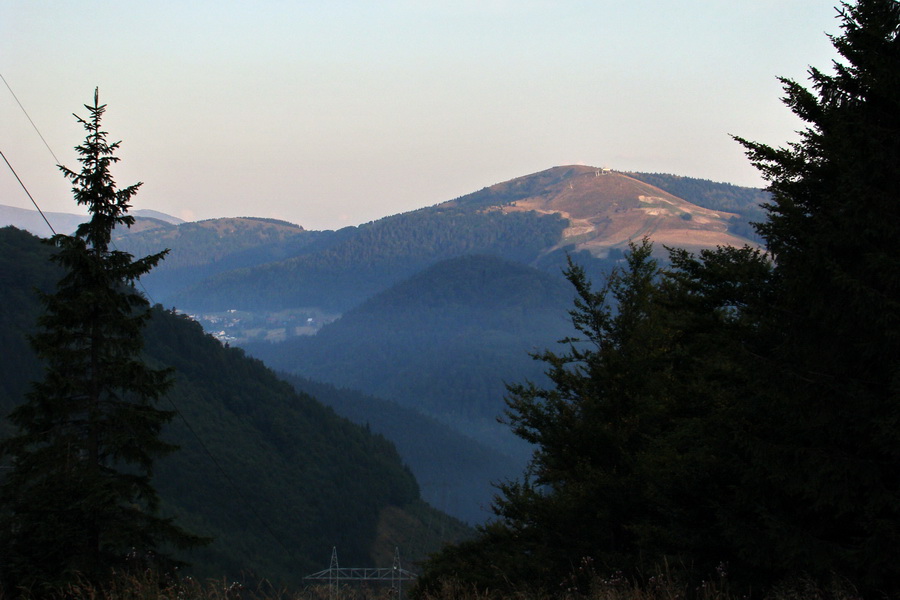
[732, 409]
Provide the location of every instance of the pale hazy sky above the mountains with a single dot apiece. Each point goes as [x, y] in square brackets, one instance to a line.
[334, 113]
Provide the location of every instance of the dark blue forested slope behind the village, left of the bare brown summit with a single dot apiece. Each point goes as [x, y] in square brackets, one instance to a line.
[377, 255]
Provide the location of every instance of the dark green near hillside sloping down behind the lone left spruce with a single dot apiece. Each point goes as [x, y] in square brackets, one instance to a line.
[274, 476]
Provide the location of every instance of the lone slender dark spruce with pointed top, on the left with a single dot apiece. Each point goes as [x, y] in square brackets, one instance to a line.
[77, 498]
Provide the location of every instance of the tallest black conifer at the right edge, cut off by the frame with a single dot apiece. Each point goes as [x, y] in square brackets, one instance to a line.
[830, 440]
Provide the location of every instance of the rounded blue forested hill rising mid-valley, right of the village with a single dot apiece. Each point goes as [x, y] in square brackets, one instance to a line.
[441, 341]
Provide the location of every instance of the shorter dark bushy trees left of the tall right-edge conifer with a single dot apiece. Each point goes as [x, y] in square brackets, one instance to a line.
[635, 440]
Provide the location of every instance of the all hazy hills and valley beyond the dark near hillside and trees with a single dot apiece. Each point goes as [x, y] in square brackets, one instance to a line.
[441, 306]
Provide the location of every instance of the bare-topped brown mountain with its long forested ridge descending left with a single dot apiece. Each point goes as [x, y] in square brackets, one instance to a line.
[534, 220]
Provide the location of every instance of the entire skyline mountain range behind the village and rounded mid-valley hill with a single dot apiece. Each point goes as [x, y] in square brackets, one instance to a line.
[265, 264]
